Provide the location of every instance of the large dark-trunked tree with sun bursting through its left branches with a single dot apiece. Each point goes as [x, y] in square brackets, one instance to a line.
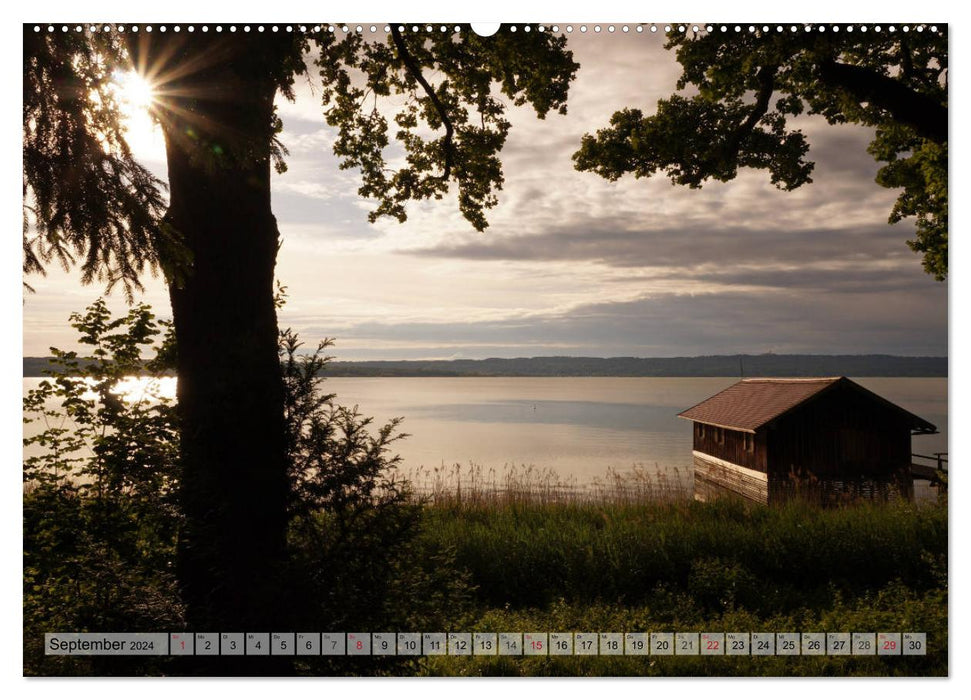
[215, 239]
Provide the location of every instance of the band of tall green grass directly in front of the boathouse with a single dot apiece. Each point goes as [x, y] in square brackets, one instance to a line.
[723, 554]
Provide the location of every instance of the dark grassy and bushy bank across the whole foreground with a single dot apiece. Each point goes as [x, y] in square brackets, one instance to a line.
[508, 561]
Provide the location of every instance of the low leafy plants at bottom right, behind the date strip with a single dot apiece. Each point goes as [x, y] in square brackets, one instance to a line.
[892, 607]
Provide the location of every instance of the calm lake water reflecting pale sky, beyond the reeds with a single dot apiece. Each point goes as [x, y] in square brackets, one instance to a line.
[576, 428]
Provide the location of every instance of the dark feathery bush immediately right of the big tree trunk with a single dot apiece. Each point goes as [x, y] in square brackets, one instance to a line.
[356, 560]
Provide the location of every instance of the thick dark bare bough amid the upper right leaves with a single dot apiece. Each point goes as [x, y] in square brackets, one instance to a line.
[924, 114]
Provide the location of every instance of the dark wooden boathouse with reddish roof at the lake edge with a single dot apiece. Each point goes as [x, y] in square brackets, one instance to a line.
[766, 439]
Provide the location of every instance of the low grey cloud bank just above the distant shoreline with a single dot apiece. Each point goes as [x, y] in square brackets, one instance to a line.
[798, 322]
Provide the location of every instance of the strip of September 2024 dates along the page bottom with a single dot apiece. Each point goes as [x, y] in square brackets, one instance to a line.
[489, 644]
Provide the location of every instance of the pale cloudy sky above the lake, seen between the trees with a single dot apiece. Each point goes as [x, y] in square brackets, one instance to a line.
[575, 265]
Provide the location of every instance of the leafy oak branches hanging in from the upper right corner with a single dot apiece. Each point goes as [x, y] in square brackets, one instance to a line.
[743, 87]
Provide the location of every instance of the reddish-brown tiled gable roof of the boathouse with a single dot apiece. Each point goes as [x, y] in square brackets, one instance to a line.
[753, 403]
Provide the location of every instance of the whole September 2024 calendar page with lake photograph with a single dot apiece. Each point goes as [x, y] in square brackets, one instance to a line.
[432, 348]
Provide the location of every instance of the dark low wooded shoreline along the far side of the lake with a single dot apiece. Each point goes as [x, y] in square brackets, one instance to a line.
[768, 365]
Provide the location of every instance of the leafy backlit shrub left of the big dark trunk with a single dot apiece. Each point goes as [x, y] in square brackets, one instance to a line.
[100, 480]
